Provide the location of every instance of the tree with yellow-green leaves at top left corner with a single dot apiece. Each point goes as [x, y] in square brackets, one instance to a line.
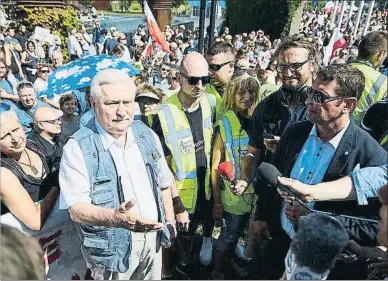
[59, 20]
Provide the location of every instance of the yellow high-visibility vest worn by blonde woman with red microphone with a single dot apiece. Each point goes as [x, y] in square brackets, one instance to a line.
[235, 139]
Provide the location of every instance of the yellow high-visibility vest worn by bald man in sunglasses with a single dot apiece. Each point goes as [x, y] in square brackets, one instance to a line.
[179, 140]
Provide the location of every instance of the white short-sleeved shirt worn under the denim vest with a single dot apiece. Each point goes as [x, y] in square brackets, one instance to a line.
[74, 179]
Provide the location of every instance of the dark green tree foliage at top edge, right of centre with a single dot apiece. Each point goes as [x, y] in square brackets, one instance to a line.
[273, 17]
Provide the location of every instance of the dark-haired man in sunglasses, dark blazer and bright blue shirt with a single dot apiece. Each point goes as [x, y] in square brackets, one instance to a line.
[325, 147]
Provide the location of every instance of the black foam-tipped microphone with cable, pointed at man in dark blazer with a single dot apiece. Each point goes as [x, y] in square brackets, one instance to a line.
[269, 174]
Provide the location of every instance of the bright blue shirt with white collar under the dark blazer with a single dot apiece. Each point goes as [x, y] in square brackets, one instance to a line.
[311, 165]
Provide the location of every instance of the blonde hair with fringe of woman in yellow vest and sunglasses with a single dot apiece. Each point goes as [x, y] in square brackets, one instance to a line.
[236, 85]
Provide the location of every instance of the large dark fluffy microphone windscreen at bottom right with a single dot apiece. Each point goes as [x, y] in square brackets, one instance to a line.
[318, 242]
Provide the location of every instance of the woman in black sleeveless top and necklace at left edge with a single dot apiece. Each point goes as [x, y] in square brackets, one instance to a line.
[25, 176]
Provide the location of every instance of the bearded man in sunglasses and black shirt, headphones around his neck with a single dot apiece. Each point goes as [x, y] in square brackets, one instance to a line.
[296, 57]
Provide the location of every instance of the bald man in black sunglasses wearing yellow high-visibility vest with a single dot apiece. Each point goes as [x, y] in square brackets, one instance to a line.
[184, 124]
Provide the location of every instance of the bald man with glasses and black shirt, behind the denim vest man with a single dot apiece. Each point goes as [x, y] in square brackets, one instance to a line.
[46, 134]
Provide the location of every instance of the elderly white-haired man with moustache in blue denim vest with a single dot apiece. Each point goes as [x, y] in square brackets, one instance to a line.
[116, 183]
